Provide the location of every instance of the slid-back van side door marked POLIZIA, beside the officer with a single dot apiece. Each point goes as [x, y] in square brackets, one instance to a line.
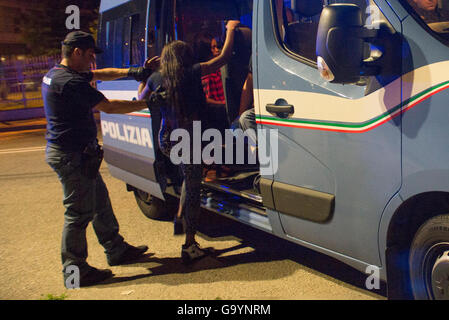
[131, 31]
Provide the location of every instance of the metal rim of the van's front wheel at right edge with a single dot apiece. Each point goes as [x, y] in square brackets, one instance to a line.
[436, 271]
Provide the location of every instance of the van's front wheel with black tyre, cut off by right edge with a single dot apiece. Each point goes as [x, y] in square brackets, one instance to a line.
[429, 260]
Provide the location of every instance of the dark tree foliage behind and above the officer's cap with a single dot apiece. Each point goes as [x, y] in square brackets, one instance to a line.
[44, 26]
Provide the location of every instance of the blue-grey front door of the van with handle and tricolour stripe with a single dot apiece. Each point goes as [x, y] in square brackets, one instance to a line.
[339, 146]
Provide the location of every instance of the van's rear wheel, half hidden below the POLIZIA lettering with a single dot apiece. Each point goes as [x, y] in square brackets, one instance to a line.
[155, 208]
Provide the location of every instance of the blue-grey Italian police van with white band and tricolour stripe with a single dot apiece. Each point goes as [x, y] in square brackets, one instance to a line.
[356, 95]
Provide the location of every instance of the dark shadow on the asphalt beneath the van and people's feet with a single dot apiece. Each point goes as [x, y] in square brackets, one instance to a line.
[263, 248]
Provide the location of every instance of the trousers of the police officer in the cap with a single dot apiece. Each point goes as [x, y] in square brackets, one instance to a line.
[85, 200]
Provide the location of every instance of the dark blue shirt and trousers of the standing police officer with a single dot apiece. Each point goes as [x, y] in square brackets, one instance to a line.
[68, 102]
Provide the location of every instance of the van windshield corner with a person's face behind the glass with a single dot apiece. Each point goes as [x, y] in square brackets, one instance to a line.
[434, 13]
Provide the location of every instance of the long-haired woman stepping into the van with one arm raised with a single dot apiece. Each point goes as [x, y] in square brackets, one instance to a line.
[181, 78]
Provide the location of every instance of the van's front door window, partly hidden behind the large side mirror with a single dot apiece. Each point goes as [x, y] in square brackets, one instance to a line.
[297, 32]
